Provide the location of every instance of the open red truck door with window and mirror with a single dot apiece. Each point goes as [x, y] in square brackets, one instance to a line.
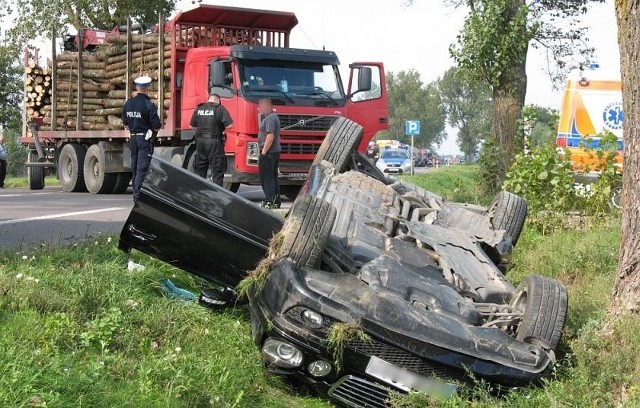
[367, 102]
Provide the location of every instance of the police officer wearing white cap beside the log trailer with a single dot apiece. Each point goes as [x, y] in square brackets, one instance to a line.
[140, 117]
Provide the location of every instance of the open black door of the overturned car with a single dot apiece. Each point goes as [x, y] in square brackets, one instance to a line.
[198, 226]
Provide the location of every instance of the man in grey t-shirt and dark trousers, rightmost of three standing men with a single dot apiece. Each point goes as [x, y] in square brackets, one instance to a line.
[269, 160]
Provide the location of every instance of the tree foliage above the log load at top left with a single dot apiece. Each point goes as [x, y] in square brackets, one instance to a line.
[37, 17]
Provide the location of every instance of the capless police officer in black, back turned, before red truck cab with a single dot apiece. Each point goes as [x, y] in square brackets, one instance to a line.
[211, 120]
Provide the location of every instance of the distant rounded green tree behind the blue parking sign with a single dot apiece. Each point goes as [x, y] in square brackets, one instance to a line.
[411, 99]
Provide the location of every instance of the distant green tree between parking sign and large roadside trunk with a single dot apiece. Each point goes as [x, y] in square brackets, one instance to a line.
[469, 109]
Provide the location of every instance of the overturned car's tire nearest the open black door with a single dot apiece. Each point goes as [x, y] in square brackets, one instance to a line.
[306, 231]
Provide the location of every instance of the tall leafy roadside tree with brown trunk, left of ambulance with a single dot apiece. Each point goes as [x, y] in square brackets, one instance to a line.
[493, 46]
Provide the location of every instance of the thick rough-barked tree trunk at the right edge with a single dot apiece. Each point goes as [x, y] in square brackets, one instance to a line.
[626, 293]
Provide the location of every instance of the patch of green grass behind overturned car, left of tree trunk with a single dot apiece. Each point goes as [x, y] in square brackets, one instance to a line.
[456, 183]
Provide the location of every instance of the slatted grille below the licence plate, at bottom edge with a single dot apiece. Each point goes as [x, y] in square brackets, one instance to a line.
[359, 393]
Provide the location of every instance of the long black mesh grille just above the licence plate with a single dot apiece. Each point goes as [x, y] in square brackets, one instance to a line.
[403, 359]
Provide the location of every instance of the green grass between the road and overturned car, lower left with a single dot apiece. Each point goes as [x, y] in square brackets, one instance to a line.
[78, 329]
